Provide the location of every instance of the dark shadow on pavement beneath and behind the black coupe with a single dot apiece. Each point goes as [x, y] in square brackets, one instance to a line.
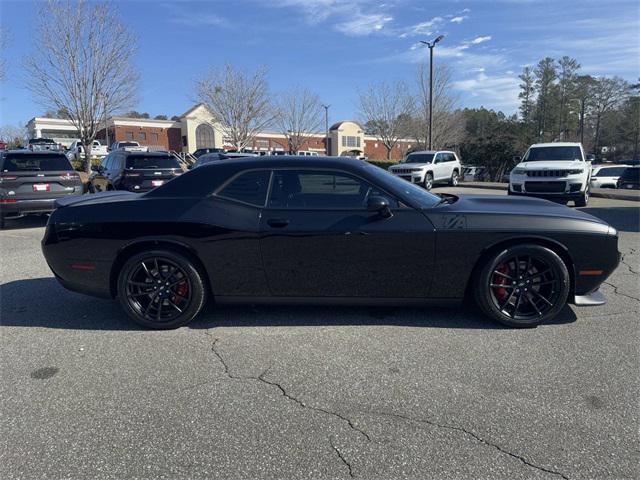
[42, 302]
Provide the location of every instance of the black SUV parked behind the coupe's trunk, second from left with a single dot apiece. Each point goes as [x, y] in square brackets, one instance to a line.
[133, 171]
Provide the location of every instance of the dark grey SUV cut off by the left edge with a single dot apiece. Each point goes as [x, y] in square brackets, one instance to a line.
[31, 181]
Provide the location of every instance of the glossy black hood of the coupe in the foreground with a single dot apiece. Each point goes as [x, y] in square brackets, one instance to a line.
[495, 212]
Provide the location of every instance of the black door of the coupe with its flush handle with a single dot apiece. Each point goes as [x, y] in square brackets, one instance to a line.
[344, 252]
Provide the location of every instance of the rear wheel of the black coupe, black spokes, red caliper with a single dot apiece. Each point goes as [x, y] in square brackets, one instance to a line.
[161, 279]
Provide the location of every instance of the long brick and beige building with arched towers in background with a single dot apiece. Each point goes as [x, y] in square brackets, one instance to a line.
[196, 128]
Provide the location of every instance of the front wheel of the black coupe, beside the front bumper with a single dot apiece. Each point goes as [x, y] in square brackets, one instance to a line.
[522, 286]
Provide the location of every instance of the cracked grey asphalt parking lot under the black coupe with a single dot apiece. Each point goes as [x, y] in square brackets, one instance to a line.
[275, 392]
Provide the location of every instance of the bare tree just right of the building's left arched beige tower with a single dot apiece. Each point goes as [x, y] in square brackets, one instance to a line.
[239, 102]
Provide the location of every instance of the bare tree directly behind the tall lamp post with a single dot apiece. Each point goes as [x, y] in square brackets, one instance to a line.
[448, 125]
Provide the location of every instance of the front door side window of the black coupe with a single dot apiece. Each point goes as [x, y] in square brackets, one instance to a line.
[321, 190]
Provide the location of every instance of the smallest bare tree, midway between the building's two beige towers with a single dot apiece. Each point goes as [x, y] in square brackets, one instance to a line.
[299, 116]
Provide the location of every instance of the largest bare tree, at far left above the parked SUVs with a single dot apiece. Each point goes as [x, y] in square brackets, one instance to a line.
[82, 64]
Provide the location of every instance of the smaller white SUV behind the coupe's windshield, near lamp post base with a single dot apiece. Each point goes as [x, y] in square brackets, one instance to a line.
[429, 167]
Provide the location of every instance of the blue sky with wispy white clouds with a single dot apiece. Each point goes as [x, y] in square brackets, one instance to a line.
[338, 47]
